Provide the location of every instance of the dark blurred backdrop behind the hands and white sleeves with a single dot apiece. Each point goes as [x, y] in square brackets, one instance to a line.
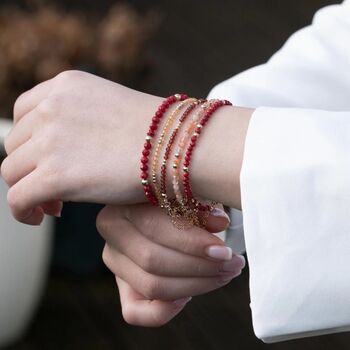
[191, 46]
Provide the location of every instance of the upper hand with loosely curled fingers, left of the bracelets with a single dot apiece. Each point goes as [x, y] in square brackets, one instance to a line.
[76, 137]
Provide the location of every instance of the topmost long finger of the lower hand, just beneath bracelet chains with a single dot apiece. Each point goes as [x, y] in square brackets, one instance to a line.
[155, 224]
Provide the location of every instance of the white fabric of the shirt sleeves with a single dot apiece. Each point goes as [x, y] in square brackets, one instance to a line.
[295, 181]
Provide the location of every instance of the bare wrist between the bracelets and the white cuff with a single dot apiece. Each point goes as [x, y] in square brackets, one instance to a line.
[217, 158]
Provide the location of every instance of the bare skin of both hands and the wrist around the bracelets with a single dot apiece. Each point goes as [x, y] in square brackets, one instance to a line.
[78, 137]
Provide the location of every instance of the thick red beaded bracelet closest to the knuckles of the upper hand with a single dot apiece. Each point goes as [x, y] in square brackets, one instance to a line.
[148, 145]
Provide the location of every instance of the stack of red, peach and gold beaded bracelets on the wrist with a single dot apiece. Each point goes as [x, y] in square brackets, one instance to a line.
[192, 115]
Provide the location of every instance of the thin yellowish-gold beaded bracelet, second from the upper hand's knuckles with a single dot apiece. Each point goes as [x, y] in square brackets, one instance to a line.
[169, 121]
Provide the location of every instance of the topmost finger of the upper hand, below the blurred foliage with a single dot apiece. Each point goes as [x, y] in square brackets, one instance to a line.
[28, 100]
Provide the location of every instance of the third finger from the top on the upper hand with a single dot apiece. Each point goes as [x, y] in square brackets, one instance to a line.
[19, 163]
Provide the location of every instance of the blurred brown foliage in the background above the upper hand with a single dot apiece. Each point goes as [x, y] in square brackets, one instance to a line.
[41, 39]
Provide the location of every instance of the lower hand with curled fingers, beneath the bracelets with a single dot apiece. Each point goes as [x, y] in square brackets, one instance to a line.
[158, 267]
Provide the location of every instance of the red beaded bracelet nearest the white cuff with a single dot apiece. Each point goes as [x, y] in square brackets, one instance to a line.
[189, 199]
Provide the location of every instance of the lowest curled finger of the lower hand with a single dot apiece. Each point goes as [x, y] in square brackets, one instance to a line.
[139, 311]
